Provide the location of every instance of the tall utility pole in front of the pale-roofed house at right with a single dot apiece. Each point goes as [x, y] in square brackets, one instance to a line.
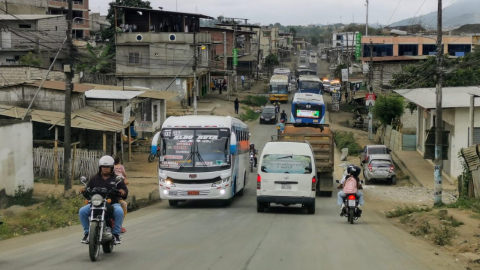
[439, 120]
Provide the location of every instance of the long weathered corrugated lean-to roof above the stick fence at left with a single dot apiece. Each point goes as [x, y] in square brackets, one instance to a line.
[85, 118]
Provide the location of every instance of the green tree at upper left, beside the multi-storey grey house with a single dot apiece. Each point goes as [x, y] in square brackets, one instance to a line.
[98, 60]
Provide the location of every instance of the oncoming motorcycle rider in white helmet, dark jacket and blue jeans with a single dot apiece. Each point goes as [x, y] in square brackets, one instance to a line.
[105, 178]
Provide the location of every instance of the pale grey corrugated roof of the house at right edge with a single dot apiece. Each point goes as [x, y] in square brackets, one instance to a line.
[452, 97]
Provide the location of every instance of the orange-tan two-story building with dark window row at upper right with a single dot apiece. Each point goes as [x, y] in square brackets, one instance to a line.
[390, 54]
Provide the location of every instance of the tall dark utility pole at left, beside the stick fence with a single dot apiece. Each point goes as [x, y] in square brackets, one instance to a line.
[68, 69]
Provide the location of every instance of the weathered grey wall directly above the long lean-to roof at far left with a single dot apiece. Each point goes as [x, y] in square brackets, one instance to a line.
[50, 100]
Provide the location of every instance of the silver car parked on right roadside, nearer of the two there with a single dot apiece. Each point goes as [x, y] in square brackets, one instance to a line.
[379, 167]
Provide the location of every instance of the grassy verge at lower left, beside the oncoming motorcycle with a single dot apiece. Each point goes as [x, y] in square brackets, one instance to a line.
[54, 212]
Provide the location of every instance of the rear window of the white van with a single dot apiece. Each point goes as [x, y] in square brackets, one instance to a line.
[281, 163]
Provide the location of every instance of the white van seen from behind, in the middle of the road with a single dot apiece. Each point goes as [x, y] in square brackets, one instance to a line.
[286, 175]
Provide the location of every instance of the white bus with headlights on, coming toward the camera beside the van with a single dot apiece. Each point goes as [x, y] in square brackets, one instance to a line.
[202, 157]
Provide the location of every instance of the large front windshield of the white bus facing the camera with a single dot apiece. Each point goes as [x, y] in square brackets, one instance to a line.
[195, 150]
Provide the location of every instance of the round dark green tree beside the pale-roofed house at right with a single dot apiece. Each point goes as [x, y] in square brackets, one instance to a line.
[388, 109]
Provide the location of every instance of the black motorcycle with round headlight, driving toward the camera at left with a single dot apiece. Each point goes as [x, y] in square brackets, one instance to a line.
[101, 218]
